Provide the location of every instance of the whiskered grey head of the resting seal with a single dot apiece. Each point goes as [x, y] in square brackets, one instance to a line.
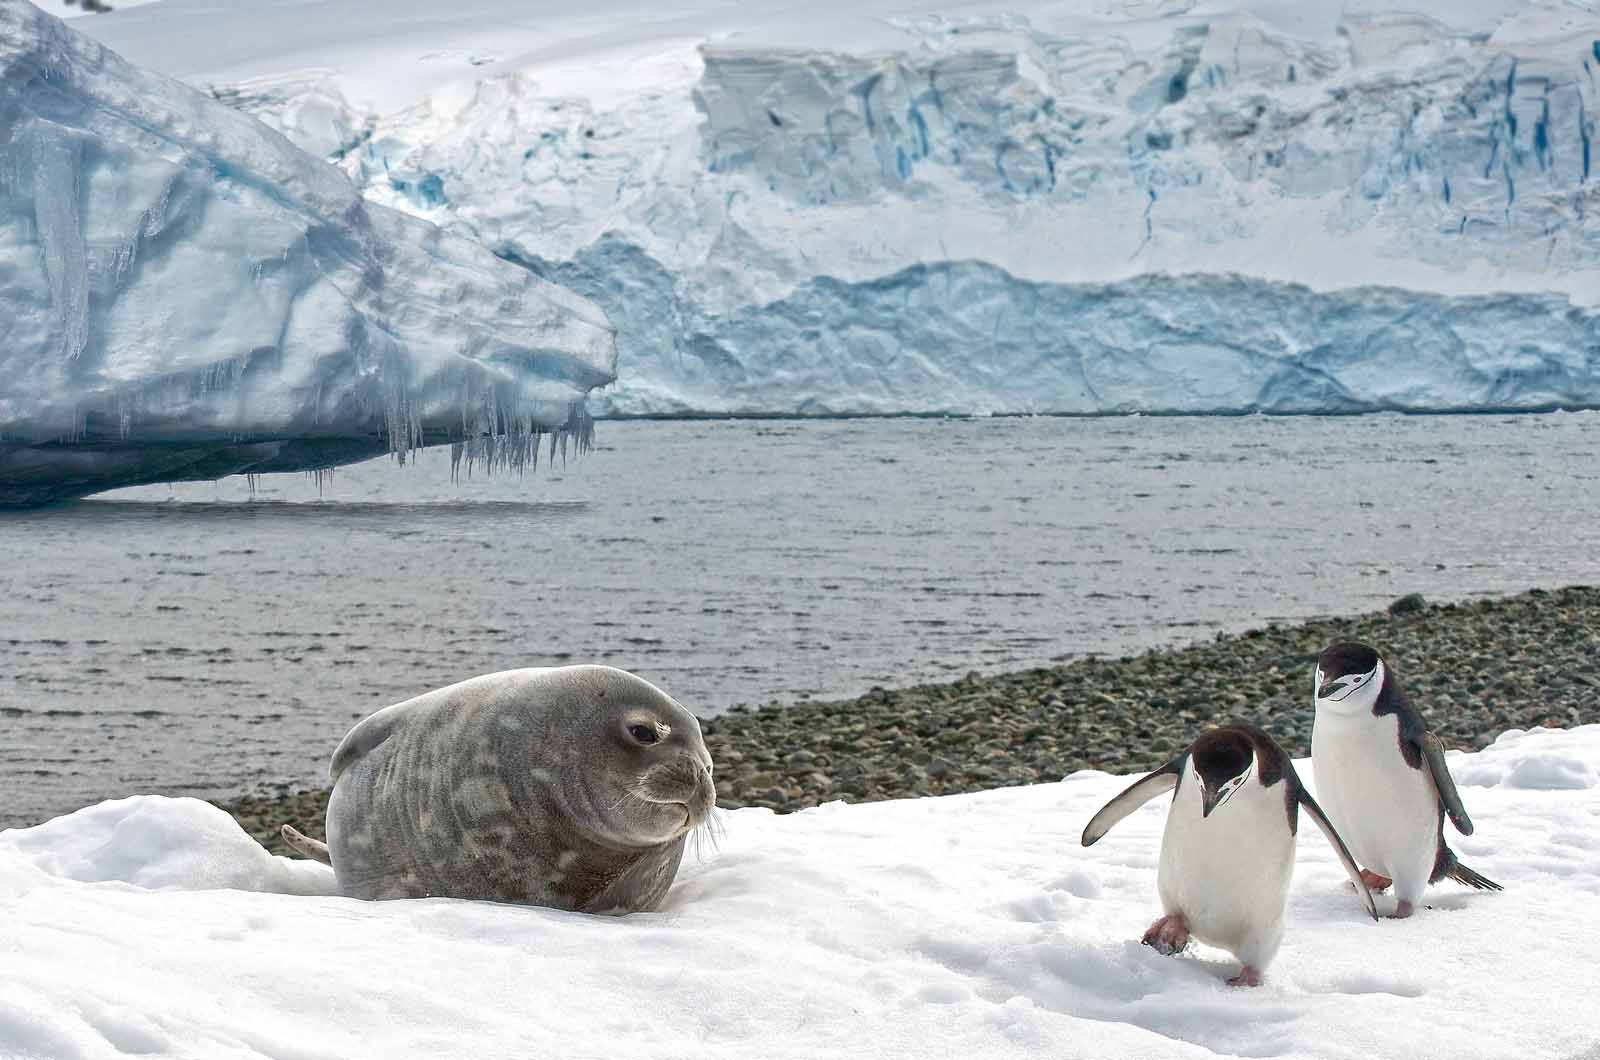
[636, 771]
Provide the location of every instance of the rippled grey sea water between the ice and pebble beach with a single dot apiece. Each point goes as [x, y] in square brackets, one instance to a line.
[204, 640]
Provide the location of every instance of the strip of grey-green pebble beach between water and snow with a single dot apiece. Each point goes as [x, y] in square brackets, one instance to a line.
[1473, 669]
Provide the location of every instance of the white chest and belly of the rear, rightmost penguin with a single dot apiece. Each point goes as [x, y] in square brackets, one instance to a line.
[1385, 809]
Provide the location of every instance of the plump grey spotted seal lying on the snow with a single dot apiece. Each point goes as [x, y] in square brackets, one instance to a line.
[572, 787]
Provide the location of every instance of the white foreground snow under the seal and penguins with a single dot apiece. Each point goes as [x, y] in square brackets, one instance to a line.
[927, 928]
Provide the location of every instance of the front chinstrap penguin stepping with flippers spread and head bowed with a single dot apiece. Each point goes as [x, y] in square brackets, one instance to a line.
[1230, 845]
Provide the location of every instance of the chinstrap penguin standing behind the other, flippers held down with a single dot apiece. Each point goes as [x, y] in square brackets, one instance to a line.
[1383, 777]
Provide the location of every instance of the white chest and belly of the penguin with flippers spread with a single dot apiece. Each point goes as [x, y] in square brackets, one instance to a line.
[1230, 873]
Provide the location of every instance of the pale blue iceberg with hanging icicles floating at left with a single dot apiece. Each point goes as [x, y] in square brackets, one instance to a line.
[186, 295]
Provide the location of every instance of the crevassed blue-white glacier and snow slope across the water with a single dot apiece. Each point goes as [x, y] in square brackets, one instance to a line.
[1081, 206]
